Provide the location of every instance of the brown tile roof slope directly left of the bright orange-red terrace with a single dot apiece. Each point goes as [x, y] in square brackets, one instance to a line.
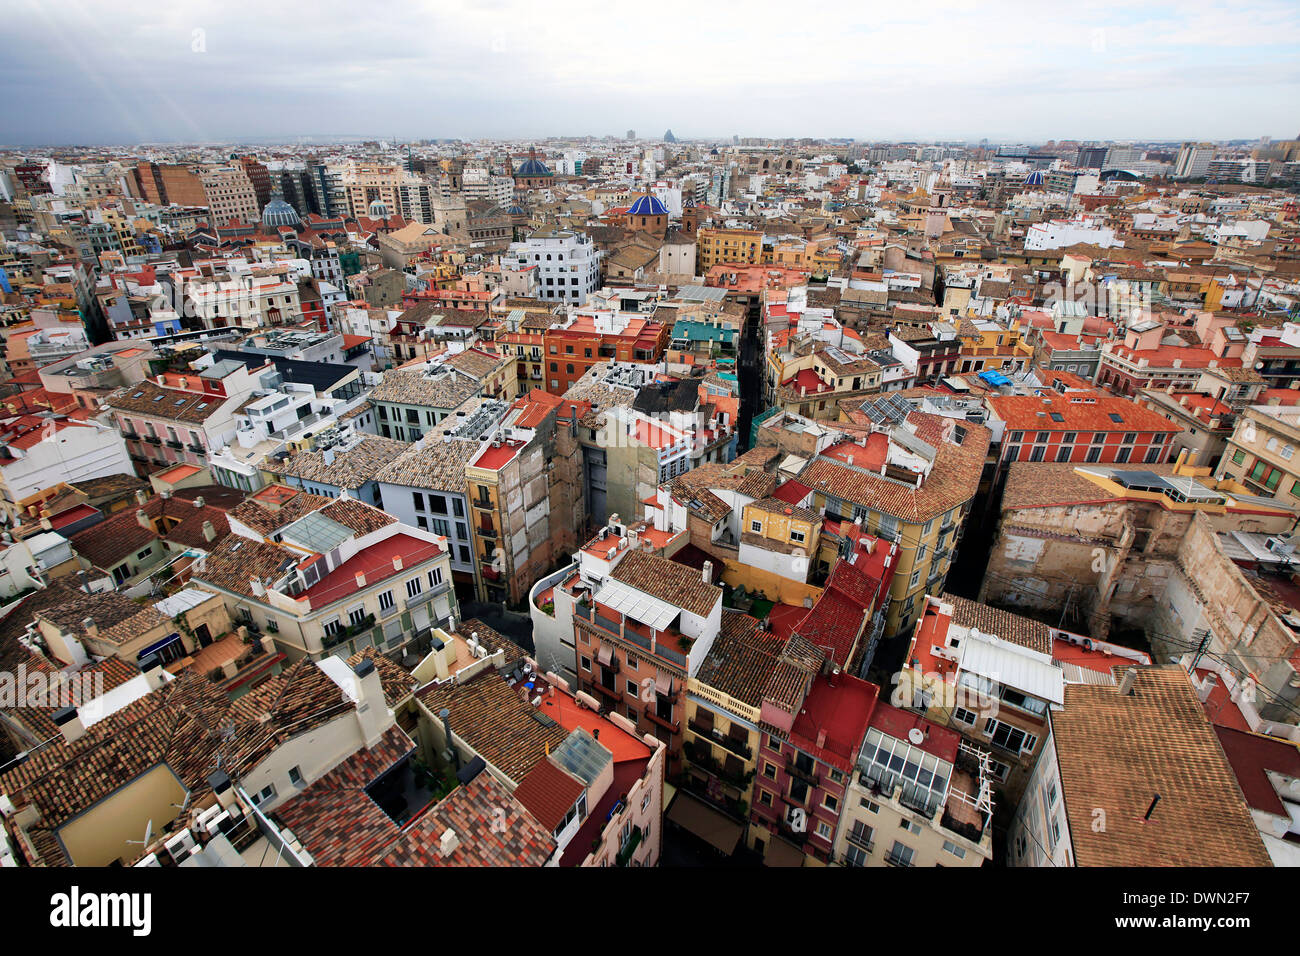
[496, 721]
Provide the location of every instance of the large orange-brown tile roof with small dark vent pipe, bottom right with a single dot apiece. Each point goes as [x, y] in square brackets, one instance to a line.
[1117, 752]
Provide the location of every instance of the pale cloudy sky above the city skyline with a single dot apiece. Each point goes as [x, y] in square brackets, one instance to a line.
[124, 72]
